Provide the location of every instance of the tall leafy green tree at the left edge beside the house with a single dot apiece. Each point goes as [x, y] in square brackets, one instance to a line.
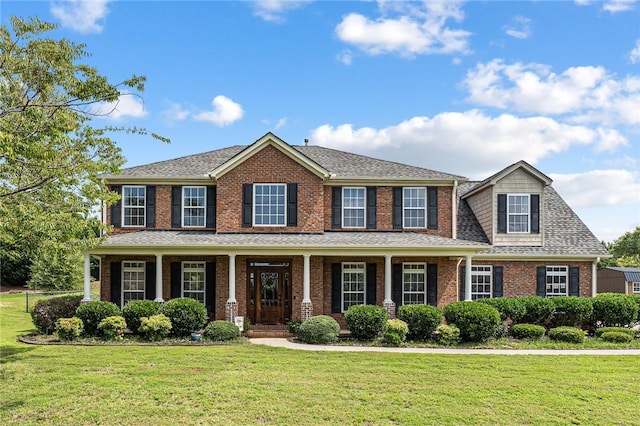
[51, 151]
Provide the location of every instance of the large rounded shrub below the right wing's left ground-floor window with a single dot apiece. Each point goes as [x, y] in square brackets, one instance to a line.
[476, 321]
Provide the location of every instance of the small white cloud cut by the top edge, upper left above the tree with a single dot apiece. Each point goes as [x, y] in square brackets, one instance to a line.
[85, 16]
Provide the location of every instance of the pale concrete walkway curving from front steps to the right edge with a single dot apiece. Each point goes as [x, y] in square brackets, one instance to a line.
[285, 343]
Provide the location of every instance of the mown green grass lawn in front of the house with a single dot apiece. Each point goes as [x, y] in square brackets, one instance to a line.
[249, 384]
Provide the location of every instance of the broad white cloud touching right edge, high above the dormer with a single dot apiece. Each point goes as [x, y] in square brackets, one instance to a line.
[587, 93]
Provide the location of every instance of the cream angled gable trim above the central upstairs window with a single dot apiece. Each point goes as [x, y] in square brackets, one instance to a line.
[269, 139]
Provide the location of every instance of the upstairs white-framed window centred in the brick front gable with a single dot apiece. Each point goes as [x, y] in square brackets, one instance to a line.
[270, 204]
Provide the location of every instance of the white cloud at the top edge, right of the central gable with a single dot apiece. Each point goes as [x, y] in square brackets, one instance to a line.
[406, 28]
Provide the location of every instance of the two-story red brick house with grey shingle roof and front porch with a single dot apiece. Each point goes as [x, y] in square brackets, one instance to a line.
[273, 231]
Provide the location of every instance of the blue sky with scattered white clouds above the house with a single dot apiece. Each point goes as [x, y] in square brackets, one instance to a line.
[462, 87]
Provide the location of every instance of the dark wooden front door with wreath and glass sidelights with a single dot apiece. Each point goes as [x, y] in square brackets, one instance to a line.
[269, 292]
